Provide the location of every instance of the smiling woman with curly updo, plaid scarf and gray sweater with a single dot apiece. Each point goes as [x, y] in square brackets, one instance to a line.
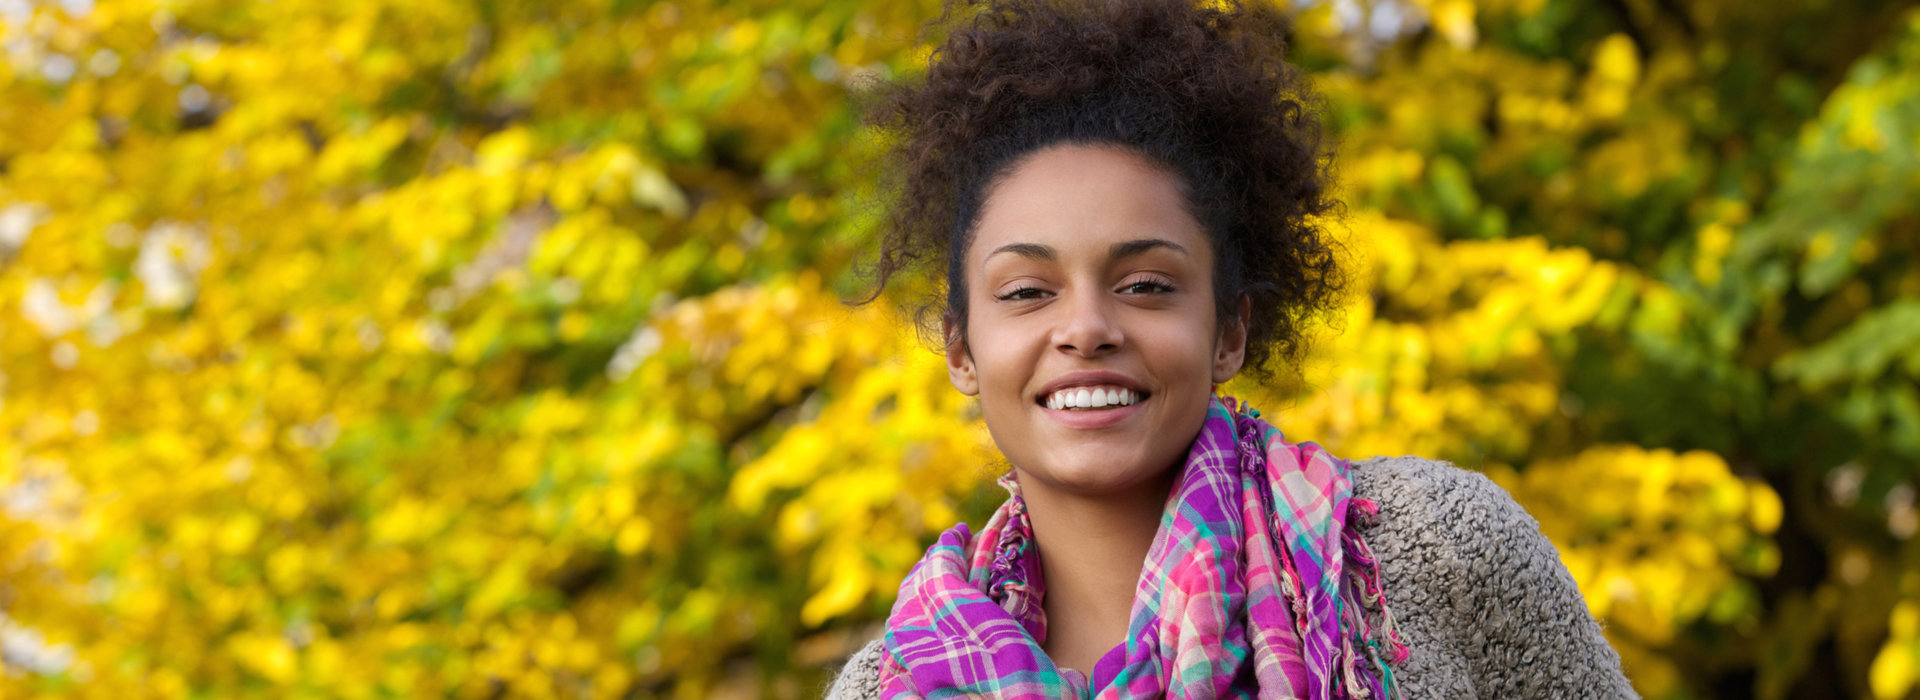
[1124, 198]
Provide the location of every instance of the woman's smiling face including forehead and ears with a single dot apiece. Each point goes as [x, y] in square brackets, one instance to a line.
[1092, 329]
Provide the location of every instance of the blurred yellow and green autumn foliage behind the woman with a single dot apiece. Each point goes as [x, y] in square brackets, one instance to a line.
[496, 350]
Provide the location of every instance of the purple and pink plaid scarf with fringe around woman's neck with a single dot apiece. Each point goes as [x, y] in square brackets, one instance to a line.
[1257, 586]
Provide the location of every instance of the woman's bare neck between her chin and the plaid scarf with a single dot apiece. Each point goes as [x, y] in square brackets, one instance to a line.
[1093, 549]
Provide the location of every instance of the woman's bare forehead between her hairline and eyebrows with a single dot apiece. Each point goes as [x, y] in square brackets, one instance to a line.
[1082, 200]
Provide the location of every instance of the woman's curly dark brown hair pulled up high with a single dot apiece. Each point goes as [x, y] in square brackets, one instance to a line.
[1197, 89]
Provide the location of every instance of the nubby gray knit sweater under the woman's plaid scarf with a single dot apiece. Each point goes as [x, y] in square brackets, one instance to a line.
[1477, 594]
